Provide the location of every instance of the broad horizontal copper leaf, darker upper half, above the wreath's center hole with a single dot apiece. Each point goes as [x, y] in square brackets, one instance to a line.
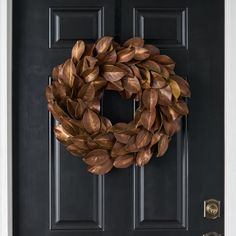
[113, 73]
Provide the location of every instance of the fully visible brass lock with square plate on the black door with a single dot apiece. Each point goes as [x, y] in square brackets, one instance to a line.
[211, 209]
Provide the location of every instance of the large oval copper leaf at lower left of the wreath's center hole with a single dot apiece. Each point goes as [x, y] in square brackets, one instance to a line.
[91, 121]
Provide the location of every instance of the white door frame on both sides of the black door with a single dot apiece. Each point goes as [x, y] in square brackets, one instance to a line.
[6, 118]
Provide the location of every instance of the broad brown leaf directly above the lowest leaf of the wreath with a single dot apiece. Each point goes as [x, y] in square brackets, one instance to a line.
[96, 157]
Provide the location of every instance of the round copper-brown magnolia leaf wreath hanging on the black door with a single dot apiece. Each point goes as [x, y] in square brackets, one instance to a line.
[136, 71]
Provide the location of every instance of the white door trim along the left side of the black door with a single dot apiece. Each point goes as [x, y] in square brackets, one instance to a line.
[6, 118]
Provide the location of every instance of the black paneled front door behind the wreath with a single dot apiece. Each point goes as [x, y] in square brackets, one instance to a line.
[53, 192]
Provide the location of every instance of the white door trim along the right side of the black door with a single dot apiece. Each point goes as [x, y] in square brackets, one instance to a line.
[230, 117]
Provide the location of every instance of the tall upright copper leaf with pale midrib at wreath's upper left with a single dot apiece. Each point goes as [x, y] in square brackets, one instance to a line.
[68, 72]
